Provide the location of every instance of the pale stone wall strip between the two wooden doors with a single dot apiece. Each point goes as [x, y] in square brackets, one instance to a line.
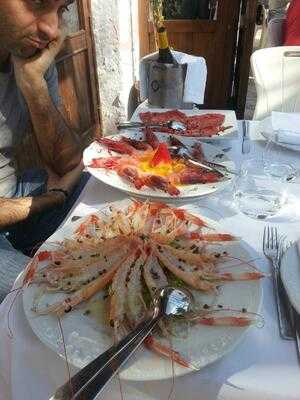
[112, 24]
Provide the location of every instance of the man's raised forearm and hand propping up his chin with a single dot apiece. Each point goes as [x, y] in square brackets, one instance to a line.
[58, 144]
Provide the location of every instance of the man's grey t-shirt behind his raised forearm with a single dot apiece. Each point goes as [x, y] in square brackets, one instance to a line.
[14, 123]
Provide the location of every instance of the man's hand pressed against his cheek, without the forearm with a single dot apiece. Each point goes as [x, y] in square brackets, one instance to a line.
[30, 71]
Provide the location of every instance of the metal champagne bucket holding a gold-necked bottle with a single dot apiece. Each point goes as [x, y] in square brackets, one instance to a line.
[166, 85]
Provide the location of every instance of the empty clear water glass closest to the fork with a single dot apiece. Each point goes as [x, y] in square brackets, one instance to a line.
[260, 188]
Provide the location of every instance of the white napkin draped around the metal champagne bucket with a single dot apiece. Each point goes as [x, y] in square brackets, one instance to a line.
[195, 82]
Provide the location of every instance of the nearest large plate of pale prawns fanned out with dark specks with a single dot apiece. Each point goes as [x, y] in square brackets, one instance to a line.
[94, 280]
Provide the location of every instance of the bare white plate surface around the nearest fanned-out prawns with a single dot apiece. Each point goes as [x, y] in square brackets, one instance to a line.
[86, 336]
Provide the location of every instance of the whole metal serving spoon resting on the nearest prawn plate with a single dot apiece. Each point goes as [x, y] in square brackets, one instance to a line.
[92, 379]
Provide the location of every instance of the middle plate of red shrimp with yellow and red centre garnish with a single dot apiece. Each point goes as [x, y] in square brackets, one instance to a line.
[140, 164]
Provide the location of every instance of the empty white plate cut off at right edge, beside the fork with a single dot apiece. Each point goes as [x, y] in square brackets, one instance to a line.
[290, 274]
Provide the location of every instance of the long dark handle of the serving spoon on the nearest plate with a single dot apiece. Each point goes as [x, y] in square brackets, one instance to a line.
[91, 380]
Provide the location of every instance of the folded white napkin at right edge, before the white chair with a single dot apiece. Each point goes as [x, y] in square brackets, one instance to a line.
[286, 127]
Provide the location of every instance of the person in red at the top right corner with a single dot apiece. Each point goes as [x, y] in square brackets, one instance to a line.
[292, 25]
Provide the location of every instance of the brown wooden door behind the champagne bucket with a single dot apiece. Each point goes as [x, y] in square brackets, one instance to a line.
[215, 40]
